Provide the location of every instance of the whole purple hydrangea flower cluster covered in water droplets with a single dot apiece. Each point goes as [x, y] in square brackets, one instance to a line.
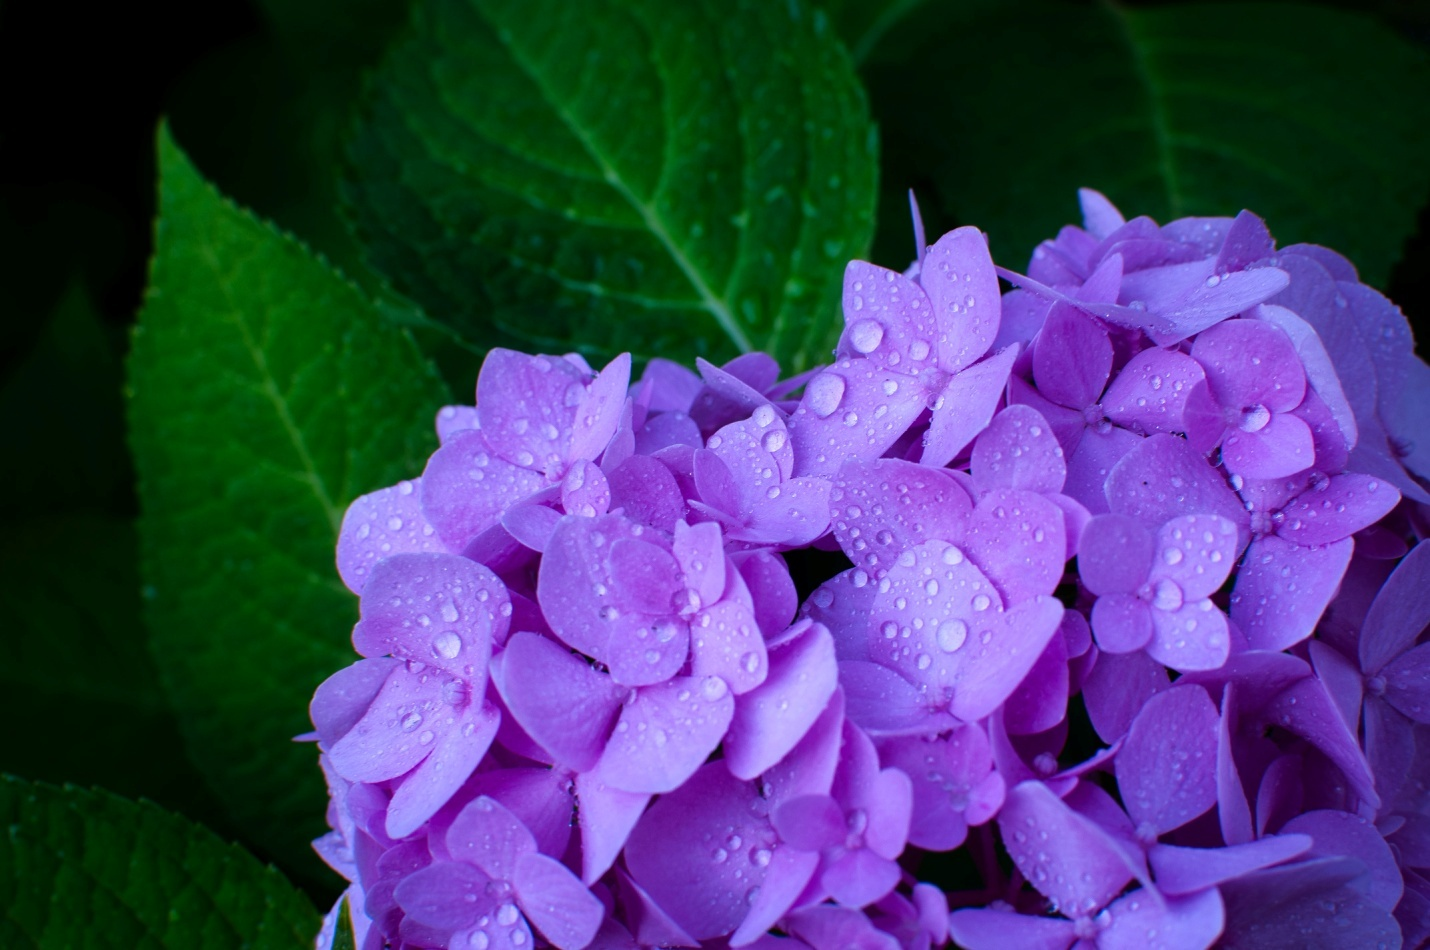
[1089, 613]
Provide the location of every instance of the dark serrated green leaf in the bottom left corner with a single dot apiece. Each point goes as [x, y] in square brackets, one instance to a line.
[88, 869]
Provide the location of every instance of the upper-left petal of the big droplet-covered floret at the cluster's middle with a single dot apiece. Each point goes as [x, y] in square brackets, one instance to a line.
[874, 524]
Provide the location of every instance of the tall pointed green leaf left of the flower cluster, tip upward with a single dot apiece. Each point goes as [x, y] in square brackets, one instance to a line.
[267, 393]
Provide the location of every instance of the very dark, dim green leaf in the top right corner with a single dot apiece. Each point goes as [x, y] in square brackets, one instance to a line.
[1316, 119]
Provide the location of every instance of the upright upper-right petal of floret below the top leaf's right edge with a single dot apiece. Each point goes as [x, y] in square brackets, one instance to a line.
[963, 291]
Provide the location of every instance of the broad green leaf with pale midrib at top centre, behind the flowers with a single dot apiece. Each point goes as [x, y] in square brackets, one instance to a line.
[671, 178]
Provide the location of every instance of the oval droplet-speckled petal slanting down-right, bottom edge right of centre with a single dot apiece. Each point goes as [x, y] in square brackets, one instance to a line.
[1076, 865]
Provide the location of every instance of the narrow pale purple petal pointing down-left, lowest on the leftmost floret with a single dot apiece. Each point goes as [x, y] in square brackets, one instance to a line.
[460, 746]
